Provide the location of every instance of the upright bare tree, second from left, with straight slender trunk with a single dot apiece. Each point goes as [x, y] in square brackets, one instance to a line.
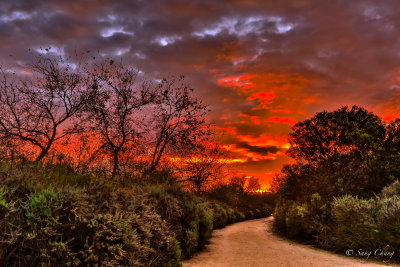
[114, 112]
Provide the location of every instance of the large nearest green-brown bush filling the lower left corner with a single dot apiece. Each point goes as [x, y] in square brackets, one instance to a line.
[42, 226]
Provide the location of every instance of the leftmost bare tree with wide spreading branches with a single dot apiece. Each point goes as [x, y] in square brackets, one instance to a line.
[40, 110]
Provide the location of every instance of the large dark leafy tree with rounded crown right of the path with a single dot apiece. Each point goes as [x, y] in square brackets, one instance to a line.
[337, 152]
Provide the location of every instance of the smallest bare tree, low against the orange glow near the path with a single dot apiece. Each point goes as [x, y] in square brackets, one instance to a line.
[203, 167]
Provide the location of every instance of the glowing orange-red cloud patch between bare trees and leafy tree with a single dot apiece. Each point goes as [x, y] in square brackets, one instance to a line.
[276, 102]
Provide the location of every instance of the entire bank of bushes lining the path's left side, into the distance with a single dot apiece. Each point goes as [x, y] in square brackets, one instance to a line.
[51, 216]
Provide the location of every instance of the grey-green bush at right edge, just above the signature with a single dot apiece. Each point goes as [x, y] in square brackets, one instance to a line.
[367, 224]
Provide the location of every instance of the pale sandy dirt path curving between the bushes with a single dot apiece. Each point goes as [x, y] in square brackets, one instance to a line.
[252, 243]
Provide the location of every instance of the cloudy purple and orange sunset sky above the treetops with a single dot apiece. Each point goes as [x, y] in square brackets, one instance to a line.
[260, 65]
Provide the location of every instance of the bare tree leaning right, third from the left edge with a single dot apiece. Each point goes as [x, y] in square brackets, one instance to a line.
[179, 121]
